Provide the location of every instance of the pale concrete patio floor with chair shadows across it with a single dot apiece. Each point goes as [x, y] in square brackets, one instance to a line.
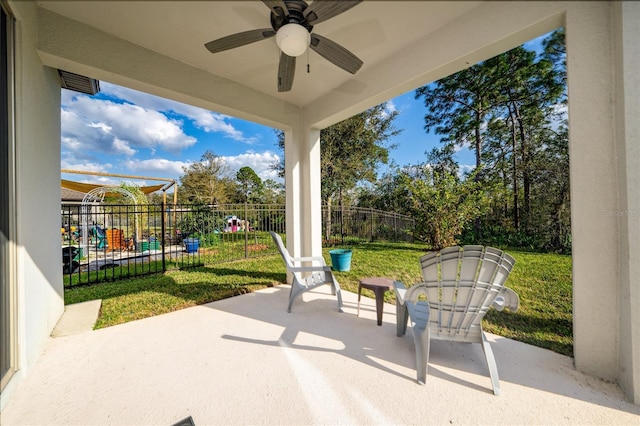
[245, 360]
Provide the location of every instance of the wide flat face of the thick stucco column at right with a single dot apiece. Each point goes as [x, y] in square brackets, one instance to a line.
[594, 188]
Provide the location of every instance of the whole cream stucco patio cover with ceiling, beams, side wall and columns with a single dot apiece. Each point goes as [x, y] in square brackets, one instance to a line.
[158, 47]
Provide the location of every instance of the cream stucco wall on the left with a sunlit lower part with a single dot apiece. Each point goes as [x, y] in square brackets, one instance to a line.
[39, 270]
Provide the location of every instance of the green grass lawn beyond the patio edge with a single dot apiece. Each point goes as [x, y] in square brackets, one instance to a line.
[543, 282]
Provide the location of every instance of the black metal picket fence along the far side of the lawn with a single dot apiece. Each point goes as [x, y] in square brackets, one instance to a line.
[106, 242]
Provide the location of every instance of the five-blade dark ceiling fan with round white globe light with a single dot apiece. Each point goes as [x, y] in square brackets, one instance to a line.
[292, 23]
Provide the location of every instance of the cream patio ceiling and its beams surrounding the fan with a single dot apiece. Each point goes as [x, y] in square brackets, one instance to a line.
[403, 44]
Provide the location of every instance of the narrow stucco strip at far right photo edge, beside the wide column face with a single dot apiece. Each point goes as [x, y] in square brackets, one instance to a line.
[627, 128]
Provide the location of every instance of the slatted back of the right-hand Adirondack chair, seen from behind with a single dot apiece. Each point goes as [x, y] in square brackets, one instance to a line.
[460, 284]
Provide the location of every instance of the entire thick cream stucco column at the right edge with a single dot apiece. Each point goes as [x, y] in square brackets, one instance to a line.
[604, 106]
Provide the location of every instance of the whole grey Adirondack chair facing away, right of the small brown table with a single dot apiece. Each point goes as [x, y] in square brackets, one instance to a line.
[460, 285]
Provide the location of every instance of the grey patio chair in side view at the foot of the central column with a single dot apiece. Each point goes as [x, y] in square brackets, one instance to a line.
[318, 273]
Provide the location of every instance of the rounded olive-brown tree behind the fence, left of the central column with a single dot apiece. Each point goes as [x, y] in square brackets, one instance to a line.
[206, 181]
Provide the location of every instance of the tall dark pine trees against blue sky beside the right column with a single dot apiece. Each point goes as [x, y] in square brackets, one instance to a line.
[510, 110]
